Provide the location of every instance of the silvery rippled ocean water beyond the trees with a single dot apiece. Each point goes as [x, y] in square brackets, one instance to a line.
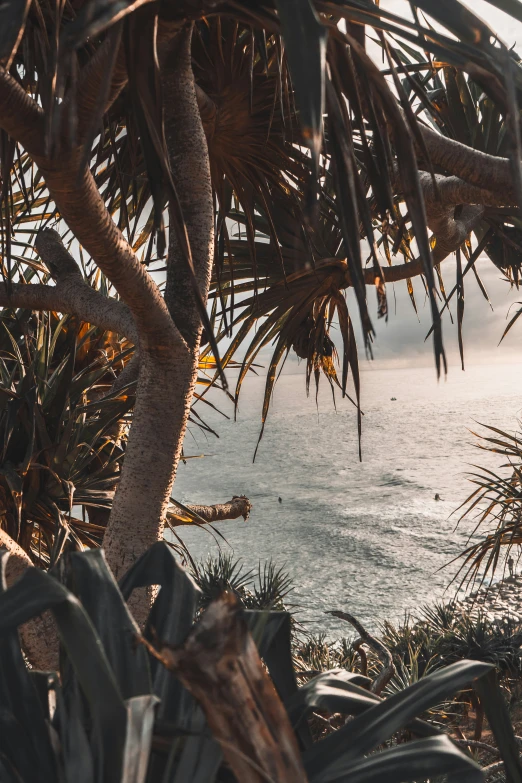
[367, 537]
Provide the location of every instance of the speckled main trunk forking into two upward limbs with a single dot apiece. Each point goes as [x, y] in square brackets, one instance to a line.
[167, 334]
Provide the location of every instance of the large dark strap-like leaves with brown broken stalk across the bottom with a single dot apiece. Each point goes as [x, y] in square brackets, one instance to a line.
[114, 712]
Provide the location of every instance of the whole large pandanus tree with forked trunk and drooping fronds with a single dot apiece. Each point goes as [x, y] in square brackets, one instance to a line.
[216, 165]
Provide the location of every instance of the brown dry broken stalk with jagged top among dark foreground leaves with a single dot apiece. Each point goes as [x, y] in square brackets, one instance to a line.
[219, 664]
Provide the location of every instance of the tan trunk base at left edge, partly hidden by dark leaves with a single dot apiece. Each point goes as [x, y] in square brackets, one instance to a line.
[39, 636]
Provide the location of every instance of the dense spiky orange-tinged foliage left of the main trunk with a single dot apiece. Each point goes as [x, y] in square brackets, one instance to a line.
[61, 433]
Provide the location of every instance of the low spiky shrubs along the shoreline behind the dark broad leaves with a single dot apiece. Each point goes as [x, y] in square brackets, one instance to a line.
[430, 639]
